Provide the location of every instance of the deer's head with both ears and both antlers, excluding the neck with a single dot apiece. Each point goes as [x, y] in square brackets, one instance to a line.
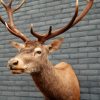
[33, 52]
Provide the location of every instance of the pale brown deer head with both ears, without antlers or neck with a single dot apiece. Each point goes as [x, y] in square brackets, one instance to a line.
[31, 56]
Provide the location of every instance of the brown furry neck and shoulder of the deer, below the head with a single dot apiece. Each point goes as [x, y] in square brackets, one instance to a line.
[58, 82]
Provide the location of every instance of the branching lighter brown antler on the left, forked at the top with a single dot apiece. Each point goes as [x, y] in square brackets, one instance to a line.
[10, 24]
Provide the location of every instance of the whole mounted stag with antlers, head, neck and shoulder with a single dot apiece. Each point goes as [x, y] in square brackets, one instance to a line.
[57, 82]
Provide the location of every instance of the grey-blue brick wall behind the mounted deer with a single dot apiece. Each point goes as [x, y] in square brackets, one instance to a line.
[81, 47]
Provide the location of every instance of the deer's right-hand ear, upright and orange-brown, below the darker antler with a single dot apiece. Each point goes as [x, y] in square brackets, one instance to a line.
[55, 45]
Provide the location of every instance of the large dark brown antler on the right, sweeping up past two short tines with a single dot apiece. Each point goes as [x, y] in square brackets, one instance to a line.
[75, 19]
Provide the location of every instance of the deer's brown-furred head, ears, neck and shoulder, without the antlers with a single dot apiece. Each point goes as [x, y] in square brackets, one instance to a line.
[57, 82]
